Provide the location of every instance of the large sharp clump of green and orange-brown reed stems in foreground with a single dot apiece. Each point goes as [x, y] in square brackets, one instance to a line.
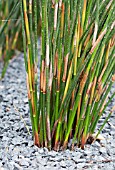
[77, 68]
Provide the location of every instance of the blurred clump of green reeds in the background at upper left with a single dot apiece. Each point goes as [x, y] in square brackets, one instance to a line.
[10, 29]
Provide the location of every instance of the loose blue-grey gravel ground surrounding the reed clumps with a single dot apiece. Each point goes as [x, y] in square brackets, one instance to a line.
[17, 151]
